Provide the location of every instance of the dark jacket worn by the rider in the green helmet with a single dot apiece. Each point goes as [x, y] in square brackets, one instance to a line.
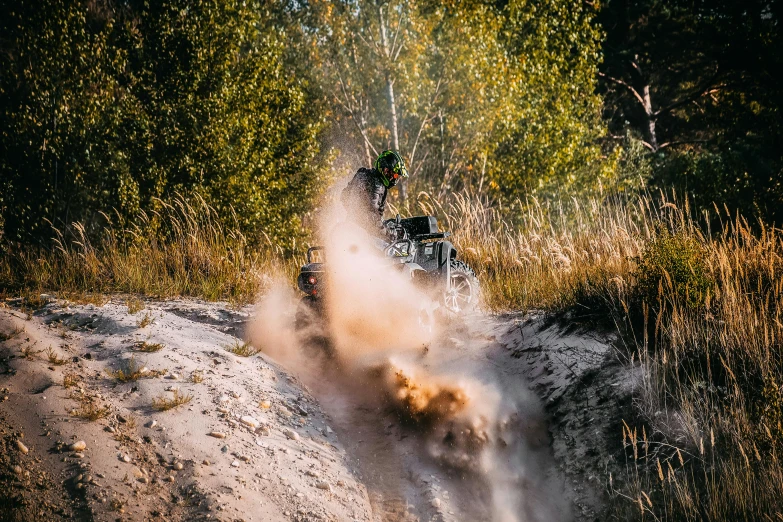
[365, 199]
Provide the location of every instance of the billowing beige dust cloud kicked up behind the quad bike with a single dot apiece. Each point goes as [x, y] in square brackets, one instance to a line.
[379, 333]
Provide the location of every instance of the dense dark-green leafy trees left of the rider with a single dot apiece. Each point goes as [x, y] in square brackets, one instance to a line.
[105, 107]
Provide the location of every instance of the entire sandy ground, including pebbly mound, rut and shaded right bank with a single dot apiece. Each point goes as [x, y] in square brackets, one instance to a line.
[259, 442]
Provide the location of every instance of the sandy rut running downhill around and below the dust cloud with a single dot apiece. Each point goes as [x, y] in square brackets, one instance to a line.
[405, 482]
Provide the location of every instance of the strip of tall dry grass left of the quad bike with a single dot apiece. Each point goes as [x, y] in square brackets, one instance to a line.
[181, 250]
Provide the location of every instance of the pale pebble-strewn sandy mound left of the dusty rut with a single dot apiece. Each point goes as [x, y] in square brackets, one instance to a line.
[249, 444]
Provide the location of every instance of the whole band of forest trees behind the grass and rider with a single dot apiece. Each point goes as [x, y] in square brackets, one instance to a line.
[109, 108]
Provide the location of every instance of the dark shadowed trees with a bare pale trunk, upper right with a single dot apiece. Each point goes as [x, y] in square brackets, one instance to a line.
[698, 82]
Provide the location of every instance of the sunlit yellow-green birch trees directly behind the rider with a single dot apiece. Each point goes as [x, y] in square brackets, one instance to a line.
[493, 97]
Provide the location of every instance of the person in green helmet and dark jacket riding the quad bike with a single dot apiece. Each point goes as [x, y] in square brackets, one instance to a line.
[365, 195]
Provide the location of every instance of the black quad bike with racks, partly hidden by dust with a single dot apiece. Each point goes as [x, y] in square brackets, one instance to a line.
[418, 248]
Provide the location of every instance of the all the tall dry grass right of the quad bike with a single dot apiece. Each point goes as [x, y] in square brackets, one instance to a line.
[699, 310]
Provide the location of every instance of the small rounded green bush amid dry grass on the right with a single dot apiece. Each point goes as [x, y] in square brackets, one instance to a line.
[673, 265]
